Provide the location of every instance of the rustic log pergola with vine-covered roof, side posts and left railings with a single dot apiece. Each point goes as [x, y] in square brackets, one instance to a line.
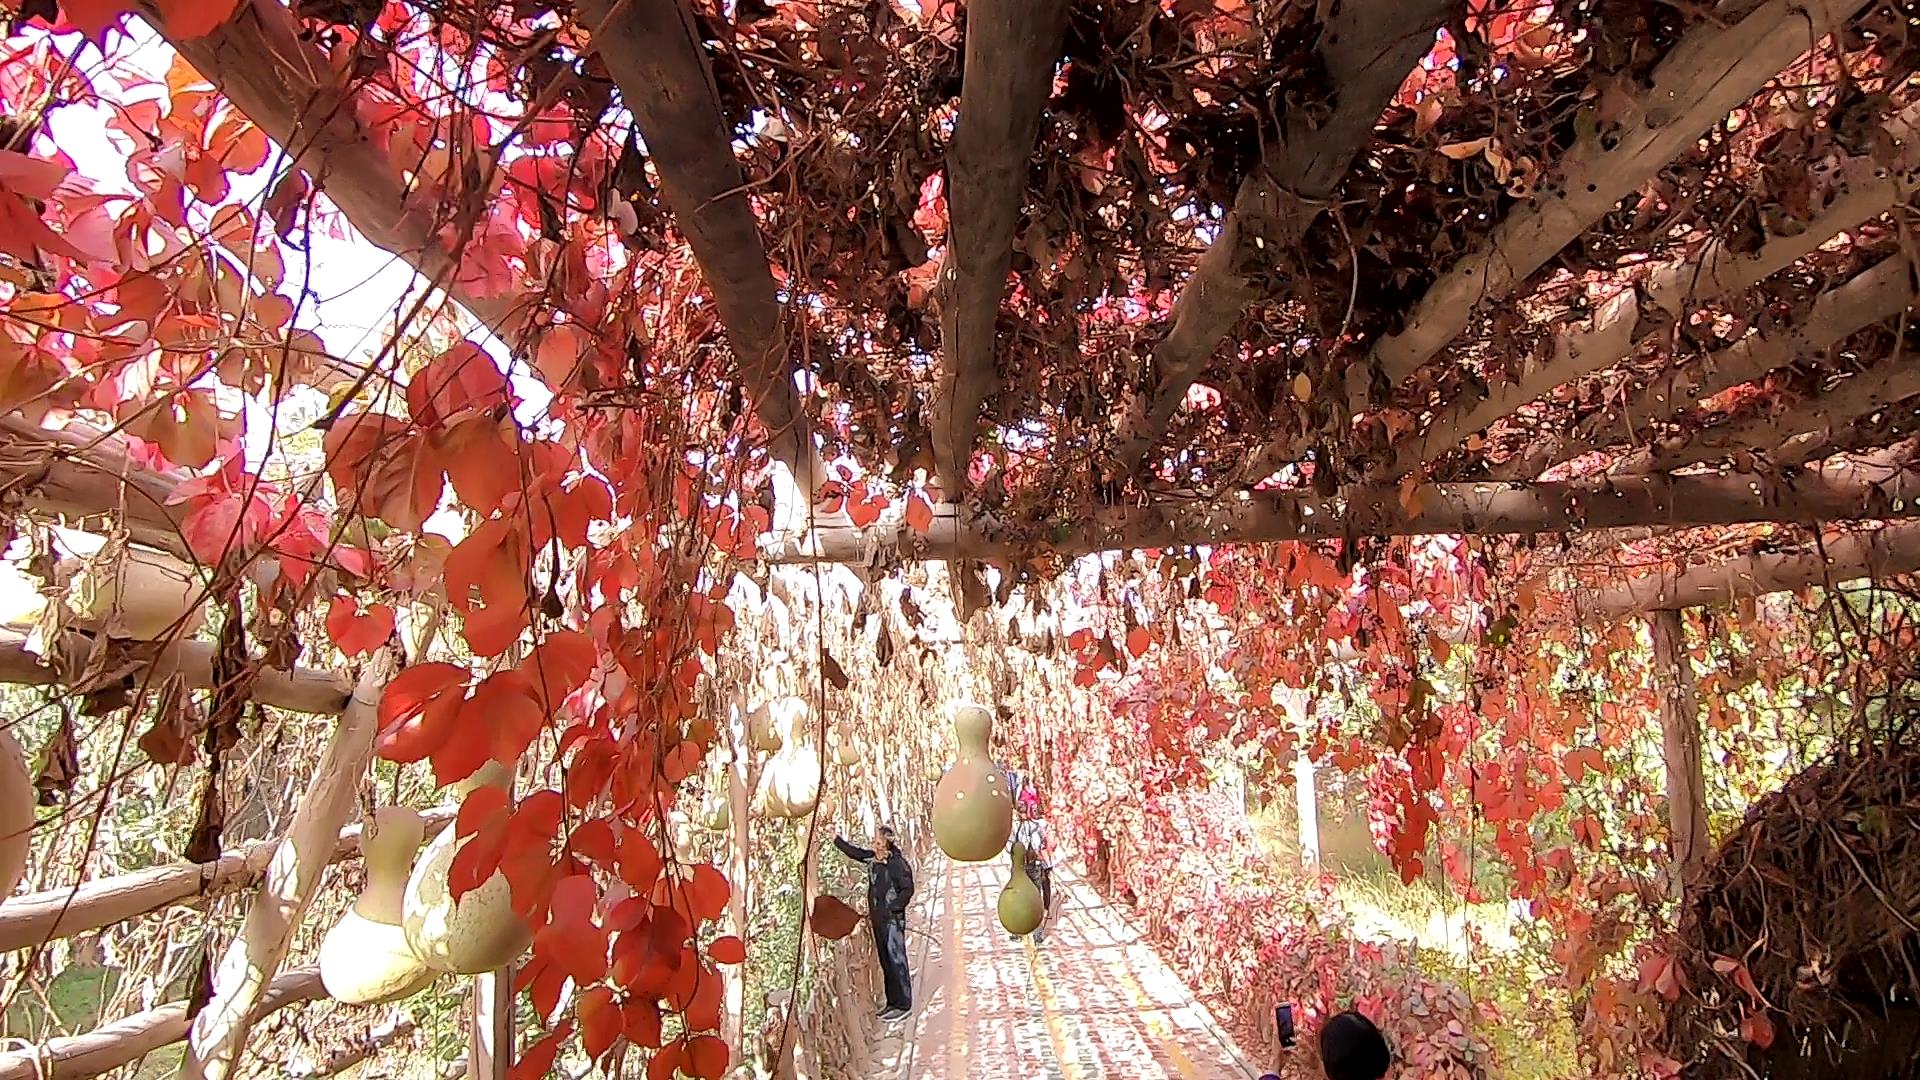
[1092, 276]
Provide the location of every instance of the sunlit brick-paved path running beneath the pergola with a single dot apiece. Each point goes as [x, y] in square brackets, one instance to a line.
[1093, 1002]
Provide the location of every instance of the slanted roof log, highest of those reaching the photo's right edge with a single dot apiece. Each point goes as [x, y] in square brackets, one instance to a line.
[1641, 316]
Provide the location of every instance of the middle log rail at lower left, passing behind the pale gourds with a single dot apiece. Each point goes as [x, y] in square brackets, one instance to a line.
[39, 918]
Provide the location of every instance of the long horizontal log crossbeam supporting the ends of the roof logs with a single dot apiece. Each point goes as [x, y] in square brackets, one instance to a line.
[1861, 489]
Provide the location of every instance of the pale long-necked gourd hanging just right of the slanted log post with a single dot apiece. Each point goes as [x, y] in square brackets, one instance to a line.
[366, 958]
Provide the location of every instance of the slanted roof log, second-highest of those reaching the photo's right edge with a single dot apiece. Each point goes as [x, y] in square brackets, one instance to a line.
[1867, 299]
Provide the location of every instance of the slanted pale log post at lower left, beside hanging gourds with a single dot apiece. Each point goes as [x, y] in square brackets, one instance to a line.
[293, 877]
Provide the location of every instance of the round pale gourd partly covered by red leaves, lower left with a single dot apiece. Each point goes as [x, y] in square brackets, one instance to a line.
[477, 935]
